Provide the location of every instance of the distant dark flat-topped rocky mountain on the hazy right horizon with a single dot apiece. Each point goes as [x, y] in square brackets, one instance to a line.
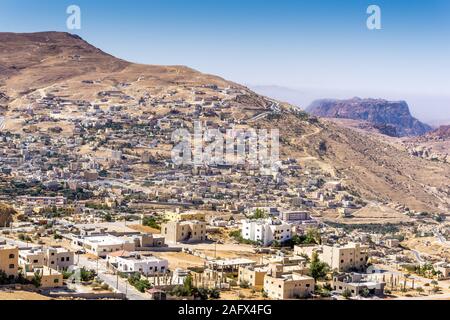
[392, 118]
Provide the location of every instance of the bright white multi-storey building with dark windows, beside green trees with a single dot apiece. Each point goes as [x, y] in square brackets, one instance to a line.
[266, 231]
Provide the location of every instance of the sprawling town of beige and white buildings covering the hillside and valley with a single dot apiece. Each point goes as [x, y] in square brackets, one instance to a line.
[92, 207]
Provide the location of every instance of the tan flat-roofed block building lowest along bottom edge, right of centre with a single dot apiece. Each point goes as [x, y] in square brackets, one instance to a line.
[291, 286]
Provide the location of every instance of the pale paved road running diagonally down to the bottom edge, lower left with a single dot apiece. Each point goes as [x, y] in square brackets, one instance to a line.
[111, 279]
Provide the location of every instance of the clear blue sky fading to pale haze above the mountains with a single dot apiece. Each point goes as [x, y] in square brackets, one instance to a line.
[316, 44]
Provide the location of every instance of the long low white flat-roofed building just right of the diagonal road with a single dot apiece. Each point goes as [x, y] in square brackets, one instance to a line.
[142, 264]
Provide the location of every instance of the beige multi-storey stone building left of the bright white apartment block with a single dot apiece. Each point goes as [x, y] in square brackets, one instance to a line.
[184, 231]
